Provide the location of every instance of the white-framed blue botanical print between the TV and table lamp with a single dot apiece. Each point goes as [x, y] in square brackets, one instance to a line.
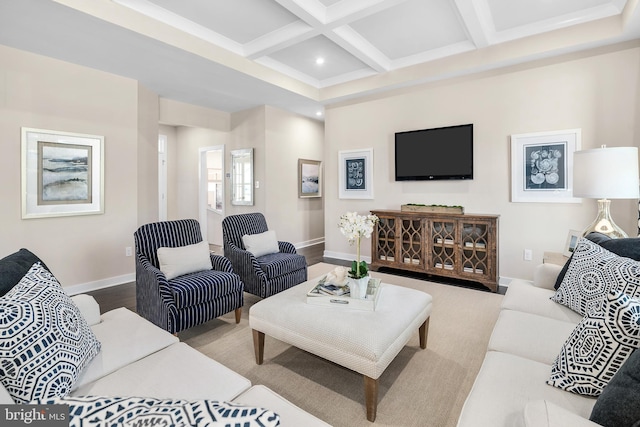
[542, 166]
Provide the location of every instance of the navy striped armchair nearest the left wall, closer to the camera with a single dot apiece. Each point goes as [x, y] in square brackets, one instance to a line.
[187, 300]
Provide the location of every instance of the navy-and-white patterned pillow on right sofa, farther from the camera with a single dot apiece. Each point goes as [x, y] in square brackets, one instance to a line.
[592, 273]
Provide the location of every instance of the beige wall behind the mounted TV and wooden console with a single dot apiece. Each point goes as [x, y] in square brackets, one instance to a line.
[598, 94]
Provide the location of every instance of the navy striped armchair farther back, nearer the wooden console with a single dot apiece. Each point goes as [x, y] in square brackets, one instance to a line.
[265, 275]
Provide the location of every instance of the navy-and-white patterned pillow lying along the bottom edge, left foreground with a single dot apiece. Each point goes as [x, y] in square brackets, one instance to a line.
[138, 411]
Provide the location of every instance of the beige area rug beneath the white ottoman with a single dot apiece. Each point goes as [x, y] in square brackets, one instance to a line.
[419, 388]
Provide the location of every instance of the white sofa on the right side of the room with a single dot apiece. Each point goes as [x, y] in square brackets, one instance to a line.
[510, 389]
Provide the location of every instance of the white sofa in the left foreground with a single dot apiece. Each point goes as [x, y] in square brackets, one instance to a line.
[139, 359]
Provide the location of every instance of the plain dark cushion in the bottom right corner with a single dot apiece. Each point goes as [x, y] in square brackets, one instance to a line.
[619, 403]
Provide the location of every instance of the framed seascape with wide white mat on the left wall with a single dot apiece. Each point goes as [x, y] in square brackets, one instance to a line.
[62, 173]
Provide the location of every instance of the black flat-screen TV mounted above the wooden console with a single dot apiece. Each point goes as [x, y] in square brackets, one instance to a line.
[439, 153]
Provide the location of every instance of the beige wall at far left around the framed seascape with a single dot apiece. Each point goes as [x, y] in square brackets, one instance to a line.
[39, 92]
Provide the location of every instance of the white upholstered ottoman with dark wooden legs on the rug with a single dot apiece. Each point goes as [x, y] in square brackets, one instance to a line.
[363, 341]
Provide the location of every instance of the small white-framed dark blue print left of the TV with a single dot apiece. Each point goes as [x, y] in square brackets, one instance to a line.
[355, 174]
